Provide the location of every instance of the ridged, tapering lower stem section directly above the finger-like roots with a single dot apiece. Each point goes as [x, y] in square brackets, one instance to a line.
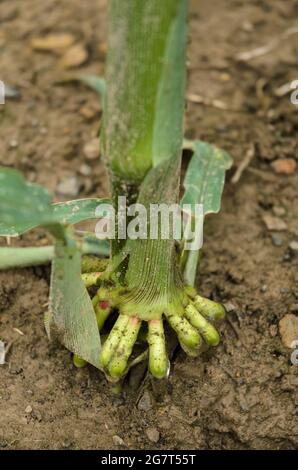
[153, 278]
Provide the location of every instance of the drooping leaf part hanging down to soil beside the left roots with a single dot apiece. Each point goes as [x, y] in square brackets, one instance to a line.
[71, 318]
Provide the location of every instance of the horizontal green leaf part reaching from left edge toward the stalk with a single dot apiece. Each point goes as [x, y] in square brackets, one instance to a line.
[24, 206]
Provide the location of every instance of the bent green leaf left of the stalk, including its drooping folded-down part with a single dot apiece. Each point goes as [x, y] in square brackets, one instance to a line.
[71, 318]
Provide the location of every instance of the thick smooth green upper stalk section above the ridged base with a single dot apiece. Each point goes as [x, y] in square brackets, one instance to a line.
[145, 77]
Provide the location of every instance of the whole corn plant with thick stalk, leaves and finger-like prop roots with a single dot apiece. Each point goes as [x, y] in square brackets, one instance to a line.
[107, 295]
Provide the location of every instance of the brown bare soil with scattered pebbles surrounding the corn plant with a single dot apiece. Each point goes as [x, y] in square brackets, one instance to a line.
[241, 395]
